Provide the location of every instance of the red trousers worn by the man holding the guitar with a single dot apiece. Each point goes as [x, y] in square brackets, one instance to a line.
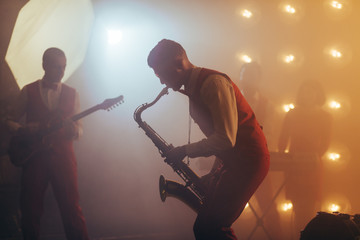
[60, 170]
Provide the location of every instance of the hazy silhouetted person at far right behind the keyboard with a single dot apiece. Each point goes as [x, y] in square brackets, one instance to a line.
[306, 132]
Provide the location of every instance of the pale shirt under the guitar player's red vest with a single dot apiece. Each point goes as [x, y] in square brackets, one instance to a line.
[50, 98]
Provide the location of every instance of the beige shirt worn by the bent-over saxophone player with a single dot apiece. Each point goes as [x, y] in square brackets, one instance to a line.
[219, 96]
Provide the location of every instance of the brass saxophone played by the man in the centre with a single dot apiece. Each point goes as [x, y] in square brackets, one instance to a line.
[192, 193]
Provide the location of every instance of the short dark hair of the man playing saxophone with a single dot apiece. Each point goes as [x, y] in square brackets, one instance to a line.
[165, 50]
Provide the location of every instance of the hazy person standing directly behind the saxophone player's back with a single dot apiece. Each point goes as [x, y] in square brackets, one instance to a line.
[250, 80]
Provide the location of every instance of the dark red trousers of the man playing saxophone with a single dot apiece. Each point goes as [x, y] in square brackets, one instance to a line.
[231, 189]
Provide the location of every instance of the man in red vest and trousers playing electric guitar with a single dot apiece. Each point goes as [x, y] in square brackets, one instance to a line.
[55, 163]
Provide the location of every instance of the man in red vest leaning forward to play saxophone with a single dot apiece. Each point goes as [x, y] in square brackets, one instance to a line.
[232, 133]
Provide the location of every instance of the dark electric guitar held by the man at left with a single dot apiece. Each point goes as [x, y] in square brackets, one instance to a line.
[24, 144]
